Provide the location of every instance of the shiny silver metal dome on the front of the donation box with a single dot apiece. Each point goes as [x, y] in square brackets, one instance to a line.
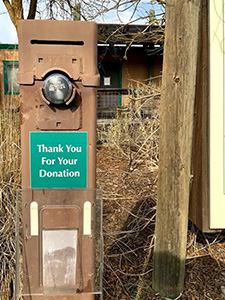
[57, 88]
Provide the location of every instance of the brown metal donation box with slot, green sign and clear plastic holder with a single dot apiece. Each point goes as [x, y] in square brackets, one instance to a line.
[58, 208]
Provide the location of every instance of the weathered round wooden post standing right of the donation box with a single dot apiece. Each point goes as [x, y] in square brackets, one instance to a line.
[176, 135]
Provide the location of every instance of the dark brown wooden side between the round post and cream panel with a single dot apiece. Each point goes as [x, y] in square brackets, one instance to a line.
[199, 200]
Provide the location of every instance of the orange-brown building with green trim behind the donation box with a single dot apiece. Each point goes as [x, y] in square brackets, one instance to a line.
[128, 55]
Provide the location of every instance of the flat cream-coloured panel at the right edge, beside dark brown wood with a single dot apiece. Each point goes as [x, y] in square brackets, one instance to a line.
[217, 197]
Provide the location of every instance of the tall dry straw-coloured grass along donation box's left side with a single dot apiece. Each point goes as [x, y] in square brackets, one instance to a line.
[10, 179]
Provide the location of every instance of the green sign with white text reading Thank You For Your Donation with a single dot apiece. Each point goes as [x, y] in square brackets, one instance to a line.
[58, 159]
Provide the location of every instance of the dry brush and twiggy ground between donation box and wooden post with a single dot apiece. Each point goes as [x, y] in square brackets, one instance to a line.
[127, 174]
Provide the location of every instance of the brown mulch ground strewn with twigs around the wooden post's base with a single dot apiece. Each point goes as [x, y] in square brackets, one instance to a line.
[129, 195]
